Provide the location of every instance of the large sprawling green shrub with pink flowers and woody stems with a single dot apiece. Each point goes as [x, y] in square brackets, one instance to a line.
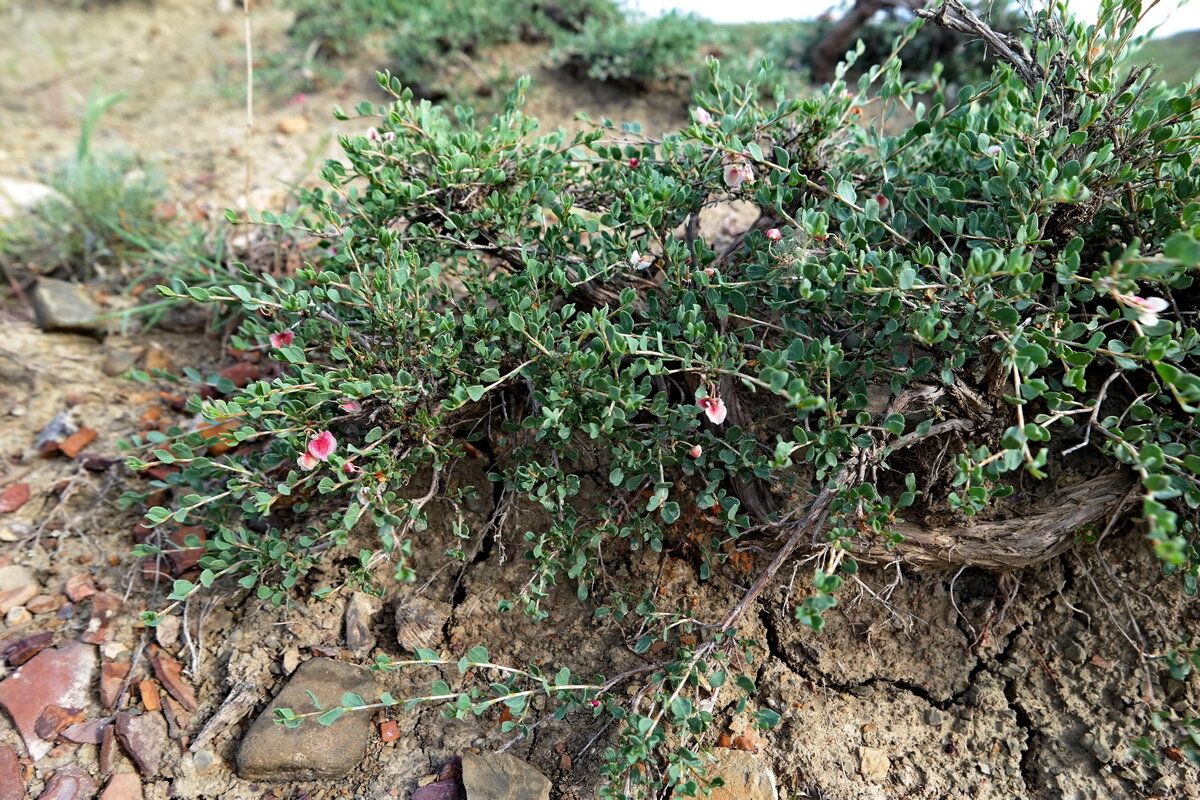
[923, 330]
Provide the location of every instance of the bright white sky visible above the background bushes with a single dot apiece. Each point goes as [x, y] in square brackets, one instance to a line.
[1168, 15]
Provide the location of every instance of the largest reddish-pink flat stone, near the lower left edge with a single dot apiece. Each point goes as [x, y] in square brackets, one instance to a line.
[59, 677]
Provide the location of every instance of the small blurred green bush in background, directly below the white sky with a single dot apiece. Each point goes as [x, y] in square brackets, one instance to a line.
[637, 52]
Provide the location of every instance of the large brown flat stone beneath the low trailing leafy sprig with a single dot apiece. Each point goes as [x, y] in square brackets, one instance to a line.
[274, 753]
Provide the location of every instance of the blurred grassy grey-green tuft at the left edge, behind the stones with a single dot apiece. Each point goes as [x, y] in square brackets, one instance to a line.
[103, 212]
